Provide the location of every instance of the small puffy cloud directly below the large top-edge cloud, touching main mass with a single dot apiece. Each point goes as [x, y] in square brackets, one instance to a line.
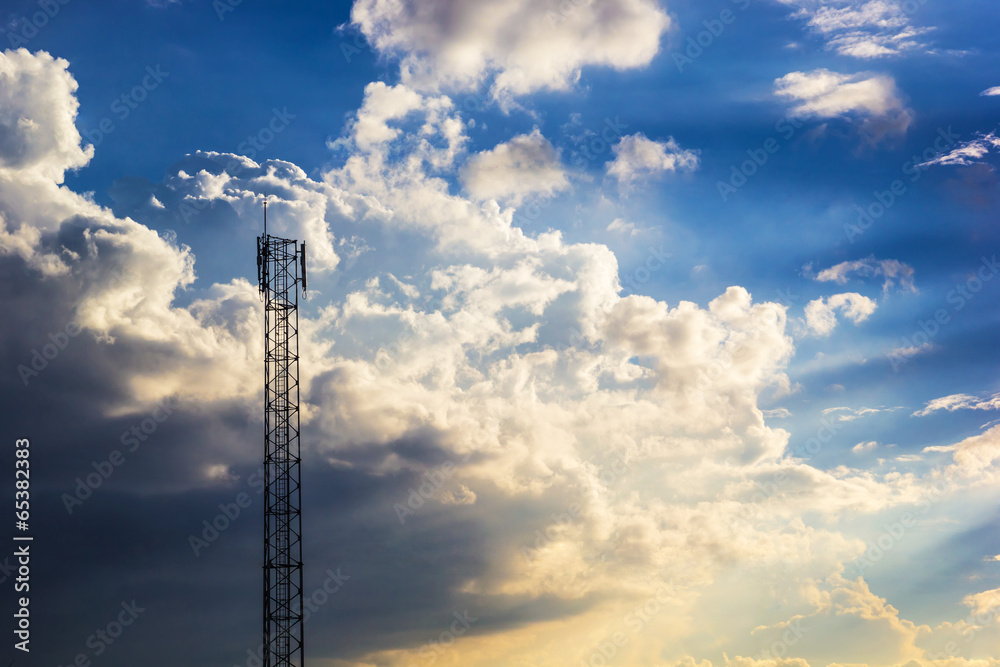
[525, 165]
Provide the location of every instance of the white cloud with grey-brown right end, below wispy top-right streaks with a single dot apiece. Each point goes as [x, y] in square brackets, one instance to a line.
[825, 94]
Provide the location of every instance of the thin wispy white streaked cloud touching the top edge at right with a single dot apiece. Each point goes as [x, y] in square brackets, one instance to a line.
[864, 29]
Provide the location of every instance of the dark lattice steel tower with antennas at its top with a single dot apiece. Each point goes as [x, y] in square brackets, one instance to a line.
[279, 262]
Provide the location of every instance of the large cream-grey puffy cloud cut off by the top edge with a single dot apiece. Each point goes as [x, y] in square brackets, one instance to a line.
[523, 46]
